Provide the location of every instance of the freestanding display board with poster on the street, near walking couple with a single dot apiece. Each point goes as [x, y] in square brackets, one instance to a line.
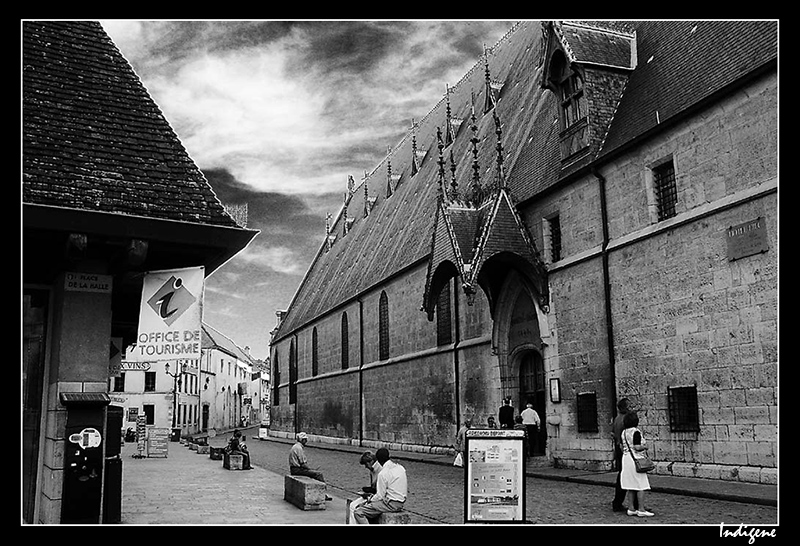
[494, 481]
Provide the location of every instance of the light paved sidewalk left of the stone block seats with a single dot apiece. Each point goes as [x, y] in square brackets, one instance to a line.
[188, 488]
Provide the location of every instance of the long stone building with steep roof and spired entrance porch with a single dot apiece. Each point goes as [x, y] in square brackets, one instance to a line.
[589, 213]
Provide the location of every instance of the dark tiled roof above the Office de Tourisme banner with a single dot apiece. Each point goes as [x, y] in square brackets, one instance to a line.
[93, 139]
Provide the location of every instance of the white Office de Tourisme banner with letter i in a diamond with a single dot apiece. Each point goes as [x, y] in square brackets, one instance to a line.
[170, 316]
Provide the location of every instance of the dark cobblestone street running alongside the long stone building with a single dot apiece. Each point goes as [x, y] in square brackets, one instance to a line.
[437, 492]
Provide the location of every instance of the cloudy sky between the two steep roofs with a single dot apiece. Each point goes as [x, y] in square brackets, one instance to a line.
[277, 114]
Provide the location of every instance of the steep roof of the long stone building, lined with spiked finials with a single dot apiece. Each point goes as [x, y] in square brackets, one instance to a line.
[398, 232]
